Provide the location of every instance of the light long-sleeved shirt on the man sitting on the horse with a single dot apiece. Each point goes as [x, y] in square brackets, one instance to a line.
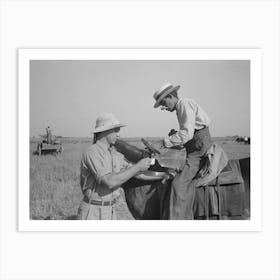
[191, 117]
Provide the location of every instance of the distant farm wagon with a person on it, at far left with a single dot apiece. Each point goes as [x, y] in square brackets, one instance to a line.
[49, 144]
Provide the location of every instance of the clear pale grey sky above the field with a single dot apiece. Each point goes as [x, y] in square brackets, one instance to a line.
[69, 95]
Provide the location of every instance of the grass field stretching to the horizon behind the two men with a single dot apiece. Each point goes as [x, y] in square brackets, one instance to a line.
[54, 180]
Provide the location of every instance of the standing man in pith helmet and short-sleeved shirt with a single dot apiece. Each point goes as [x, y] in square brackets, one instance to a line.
[103, 170]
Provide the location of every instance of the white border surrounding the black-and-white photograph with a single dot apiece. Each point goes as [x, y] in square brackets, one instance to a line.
[24, 57]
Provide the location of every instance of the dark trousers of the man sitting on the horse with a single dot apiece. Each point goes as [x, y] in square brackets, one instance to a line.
[182, 190]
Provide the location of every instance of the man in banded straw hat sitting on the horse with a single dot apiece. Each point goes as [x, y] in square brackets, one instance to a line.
[193, 134]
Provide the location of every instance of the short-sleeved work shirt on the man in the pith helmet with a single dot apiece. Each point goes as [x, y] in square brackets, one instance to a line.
[97, 161]
